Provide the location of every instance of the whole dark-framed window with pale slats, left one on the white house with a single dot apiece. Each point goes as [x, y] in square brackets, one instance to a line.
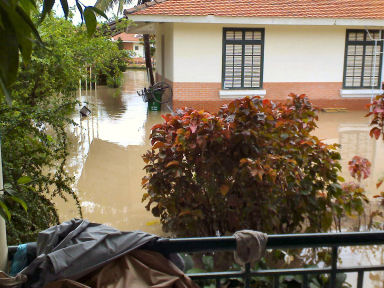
[243, 58]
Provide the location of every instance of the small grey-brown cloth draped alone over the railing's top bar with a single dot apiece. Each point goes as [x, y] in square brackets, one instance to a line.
[250, 246]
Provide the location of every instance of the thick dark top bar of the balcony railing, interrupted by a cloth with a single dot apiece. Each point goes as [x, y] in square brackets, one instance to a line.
[274, 241]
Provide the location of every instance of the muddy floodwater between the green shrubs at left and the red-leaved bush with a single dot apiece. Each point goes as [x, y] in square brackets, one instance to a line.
[105, 158]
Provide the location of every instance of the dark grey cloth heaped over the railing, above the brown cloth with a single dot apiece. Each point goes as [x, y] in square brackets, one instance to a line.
[75, 248]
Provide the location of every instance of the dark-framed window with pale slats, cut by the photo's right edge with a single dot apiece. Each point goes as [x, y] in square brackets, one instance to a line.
[363, 60]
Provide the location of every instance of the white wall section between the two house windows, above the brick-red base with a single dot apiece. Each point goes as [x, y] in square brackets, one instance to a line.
[304, 54]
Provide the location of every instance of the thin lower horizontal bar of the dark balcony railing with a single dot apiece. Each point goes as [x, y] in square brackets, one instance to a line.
[294, 271]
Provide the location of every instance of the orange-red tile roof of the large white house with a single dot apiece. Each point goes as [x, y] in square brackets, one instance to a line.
[358, 9]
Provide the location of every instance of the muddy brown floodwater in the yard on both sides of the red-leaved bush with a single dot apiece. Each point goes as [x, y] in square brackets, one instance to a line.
[107, 146]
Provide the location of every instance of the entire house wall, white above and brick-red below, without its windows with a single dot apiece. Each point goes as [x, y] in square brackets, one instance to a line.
[300, 59]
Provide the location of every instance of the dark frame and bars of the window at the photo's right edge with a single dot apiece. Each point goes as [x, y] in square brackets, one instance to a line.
[365, 42]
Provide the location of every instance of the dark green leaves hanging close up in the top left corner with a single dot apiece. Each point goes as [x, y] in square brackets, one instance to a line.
[18, 33]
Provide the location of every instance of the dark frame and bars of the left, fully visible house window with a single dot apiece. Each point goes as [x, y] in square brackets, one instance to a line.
[243, 42]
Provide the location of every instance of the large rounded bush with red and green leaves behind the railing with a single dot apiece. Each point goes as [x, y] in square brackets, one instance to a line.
[253, 165]
